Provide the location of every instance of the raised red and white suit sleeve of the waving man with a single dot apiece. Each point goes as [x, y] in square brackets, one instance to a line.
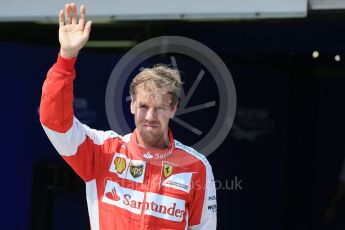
[80, 146]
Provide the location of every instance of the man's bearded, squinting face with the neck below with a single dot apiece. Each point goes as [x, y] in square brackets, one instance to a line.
[152, 113]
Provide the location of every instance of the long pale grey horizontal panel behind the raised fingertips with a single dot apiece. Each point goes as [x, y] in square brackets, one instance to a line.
[21, 10]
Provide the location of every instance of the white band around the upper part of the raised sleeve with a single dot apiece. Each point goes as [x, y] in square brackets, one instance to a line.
[67, 143]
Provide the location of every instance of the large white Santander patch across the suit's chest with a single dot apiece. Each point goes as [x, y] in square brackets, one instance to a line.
[157, 205]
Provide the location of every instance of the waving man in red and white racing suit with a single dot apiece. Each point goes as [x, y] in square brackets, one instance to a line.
[144, 180]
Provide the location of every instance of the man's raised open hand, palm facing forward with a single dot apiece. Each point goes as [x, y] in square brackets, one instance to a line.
[73, 33]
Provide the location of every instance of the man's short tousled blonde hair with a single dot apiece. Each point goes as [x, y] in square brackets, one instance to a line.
[160, 77]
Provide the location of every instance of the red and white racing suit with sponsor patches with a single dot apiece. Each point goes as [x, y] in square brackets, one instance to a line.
[127, 186]
